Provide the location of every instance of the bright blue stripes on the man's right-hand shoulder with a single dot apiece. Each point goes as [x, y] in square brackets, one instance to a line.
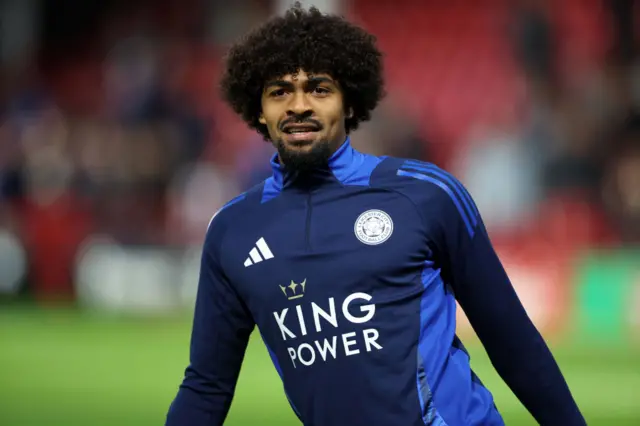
[449, 184]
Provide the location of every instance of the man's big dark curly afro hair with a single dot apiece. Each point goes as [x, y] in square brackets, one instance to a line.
[313, 42]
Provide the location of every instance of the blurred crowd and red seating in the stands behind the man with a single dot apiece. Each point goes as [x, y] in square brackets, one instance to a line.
[111, 125]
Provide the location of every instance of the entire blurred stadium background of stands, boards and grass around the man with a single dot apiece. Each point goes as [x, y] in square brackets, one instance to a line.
[115, 150]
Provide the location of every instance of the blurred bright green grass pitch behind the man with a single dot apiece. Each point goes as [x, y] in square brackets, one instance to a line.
[62, 368]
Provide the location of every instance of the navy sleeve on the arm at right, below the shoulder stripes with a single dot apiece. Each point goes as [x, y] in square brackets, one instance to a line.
[480, 284]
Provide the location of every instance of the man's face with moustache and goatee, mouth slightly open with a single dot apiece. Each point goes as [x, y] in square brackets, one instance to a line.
[304, 114]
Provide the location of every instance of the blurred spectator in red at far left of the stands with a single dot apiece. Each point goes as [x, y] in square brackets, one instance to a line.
[54, 221]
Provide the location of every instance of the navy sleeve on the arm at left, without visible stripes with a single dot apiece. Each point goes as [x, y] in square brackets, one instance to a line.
[222, 326]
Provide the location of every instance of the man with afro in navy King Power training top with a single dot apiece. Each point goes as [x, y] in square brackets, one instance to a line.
[349, 264]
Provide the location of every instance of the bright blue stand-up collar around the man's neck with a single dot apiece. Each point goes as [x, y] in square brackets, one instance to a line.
[342, 163]
